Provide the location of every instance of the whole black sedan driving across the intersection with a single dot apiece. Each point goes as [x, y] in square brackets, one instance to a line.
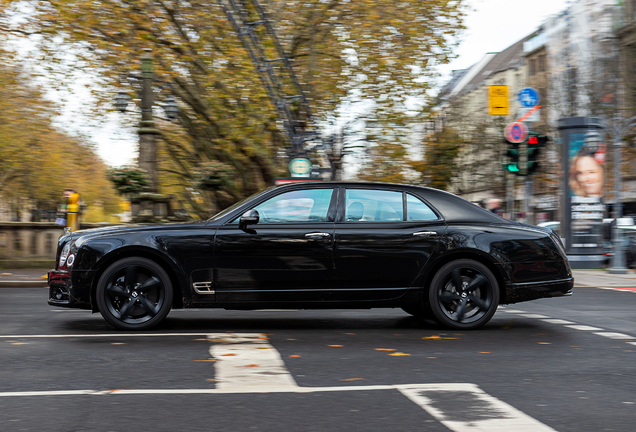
[316, 245]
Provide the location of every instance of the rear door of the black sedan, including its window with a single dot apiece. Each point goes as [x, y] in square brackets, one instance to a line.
[383, 238]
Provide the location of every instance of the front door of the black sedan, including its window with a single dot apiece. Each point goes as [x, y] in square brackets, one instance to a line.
[286, 256]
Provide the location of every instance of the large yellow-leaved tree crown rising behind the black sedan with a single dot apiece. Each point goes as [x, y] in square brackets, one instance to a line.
[379, 48]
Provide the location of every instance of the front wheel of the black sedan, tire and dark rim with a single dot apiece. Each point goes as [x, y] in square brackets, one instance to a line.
[134, 294]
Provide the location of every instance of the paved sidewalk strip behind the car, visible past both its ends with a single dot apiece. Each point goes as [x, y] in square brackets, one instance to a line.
[36, 278]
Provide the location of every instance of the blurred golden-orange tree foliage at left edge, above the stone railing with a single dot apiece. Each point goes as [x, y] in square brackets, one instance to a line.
[38, 161]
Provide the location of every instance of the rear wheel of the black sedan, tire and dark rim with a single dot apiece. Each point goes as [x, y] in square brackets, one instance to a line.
[464, 295]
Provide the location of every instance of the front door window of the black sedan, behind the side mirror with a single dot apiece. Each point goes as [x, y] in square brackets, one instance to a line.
[298, 206]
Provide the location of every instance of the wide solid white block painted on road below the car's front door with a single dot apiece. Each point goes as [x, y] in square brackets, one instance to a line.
[248, 361]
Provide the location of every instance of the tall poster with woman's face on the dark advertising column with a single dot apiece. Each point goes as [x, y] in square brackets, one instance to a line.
[587, 185]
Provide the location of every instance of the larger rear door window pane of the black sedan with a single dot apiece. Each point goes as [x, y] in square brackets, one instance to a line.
[363, 205]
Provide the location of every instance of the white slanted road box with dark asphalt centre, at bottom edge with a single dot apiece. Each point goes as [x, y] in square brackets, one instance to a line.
[467, 408]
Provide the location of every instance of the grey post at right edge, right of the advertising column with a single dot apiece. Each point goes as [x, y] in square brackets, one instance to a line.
[618, 128]
